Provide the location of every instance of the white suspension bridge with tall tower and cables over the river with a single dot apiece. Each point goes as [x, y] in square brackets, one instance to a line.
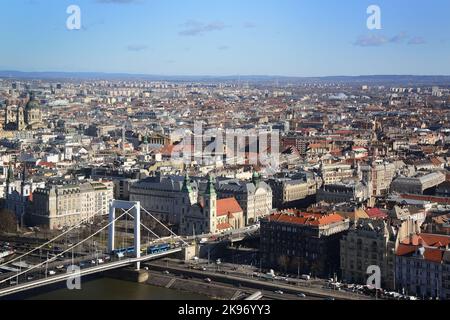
[38, 275]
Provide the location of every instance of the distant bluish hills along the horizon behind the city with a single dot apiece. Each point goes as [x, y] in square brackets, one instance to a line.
[368, 79]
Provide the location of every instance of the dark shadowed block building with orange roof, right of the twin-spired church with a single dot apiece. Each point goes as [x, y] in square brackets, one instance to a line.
[306, 242]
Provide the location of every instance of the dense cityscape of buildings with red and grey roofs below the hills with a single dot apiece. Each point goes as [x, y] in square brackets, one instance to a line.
[361, 180]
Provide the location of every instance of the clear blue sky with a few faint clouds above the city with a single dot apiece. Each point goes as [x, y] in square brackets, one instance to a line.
[227, 37]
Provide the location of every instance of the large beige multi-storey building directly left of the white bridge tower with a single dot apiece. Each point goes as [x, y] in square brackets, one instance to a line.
[61, 206]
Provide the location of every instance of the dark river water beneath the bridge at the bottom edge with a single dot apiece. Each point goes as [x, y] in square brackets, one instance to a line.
[111, 289]
